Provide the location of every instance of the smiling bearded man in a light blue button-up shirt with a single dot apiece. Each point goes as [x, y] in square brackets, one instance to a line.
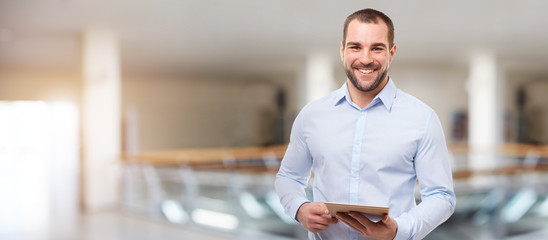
[367, 143]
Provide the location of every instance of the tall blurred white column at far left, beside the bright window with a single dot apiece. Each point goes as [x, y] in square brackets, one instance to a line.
[101, 118]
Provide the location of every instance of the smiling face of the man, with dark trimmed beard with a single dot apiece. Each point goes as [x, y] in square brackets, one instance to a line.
[366, 55]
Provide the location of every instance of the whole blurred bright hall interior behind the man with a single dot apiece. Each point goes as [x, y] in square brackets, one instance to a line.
[168, 119]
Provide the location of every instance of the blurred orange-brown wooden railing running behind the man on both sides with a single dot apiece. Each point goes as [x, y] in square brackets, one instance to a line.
[256, 158]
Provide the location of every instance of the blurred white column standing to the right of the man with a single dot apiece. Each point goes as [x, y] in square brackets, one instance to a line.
[485, 88]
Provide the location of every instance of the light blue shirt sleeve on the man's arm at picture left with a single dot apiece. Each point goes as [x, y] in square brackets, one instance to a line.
[294, 173]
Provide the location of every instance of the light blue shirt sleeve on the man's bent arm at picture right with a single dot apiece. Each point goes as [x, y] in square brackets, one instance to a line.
[434, 174]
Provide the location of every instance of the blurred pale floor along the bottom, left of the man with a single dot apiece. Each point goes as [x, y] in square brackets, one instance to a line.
[121, 226]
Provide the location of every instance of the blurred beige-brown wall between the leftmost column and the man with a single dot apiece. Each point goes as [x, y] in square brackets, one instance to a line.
[178, 112]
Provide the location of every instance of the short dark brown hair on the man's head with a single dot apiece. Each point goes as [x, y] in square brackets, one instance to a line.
[369, 15]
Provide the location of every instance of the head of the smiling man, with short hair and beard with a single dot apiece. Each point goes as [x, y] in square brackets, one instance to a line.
[367, 50]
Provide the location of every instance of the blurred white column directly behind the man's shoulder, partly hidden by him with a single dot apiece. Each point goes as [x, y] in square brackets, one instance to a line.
[317, 78]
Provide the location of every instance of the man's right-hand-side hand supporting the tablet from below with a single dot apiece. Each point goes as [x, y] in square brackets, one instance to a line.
[384, 229]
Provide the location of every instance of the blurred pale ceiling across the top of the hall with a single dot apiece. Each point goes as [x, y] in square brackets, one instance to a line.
[172, 36]
